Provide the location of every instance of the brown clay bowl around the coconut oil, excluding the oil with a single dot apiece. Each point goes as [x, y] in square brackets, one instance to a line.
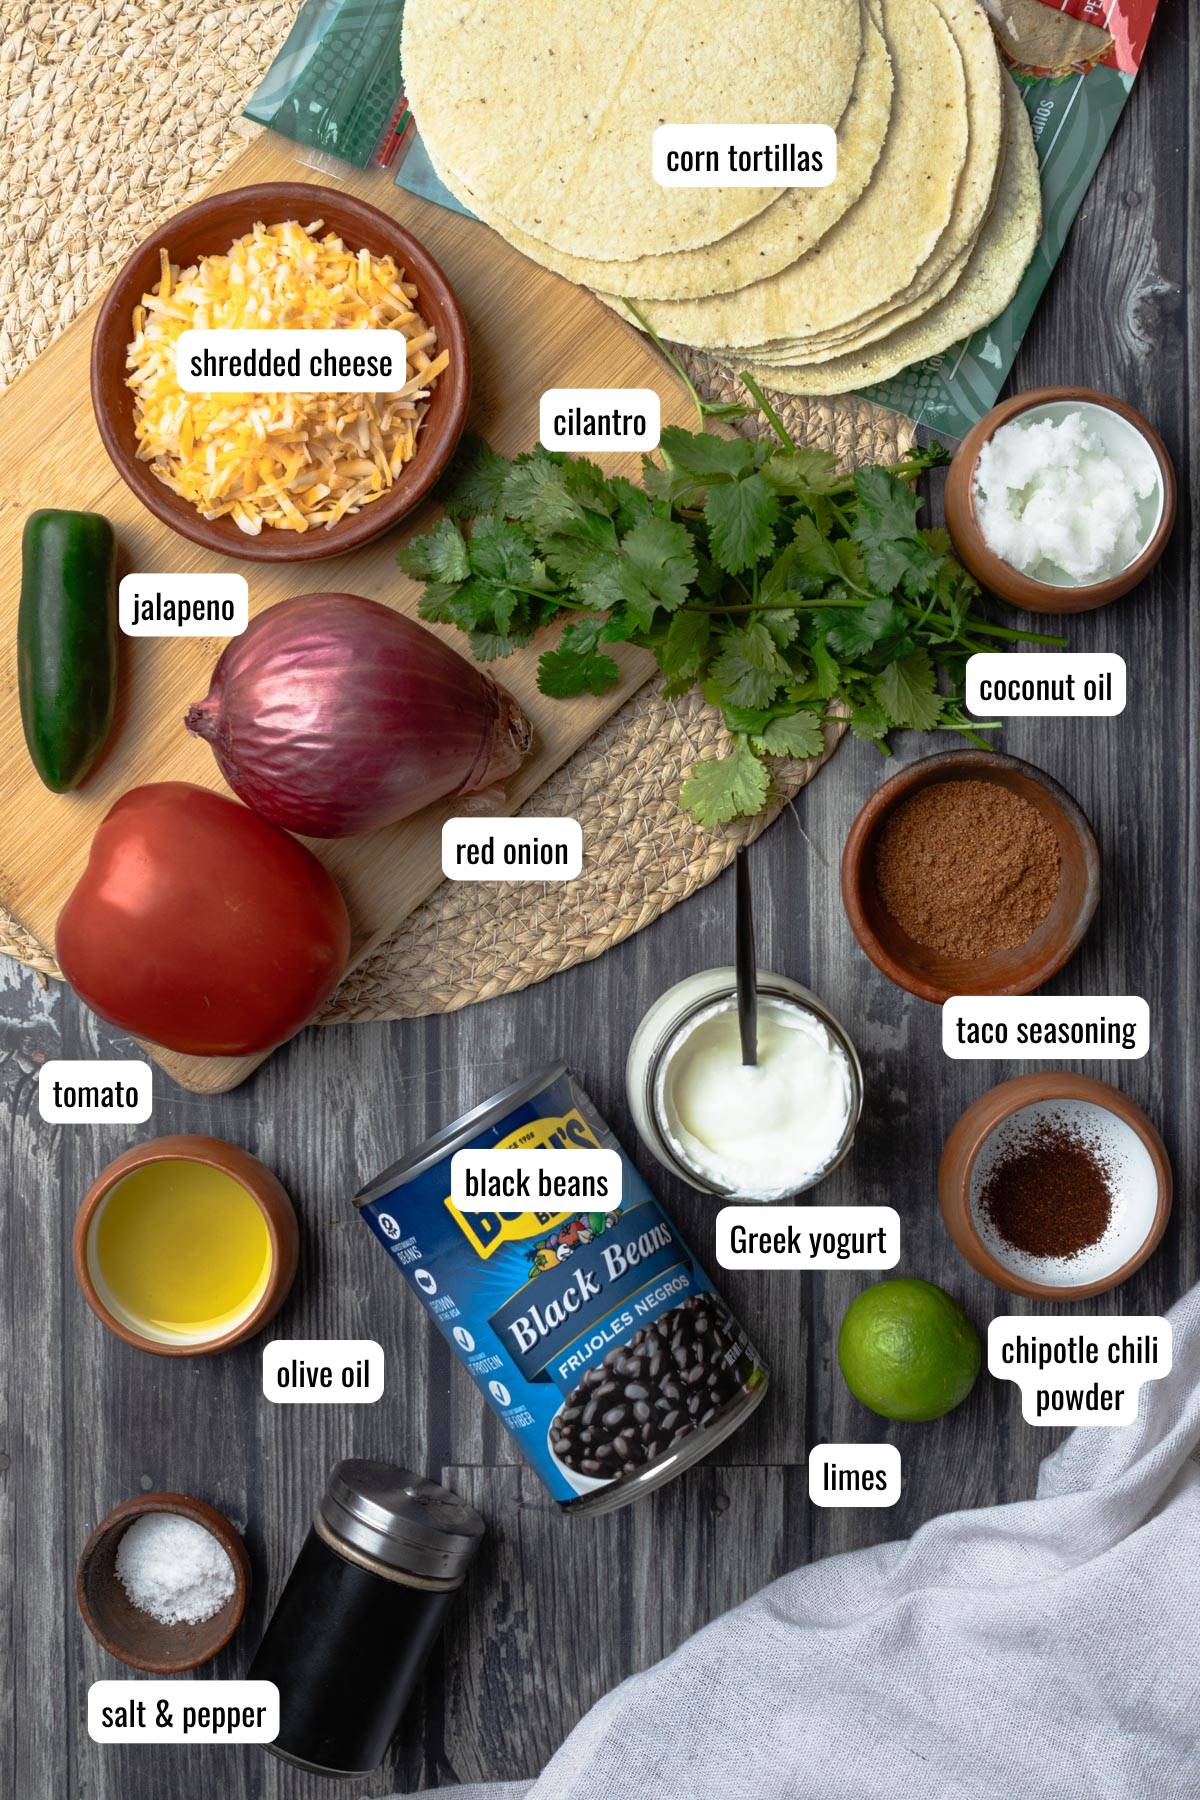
[1012, 584]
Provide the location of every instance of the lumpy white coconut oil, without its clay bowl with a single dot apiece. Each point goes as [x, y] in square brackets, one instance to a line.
[1070, 494]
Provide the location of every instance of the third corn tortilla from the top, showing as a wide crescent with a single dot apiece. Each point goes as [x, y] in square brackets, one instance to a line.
[875, 251]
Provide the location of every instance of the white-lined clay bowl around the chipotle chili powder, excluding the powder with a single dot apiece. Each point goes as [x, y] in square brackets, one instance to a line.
[1143, 1196]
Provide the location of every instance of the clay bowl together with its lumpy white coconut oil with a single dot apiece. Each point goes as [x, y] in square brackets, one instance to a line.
[1061, 499]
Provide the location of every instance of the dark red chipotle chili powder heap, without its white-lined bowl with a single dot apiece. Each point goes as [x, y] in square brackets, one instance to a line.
[1050, 1192]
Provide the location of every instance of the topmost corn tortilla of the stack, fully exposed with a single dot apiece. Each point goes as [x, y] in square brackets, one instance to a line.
[551, 111]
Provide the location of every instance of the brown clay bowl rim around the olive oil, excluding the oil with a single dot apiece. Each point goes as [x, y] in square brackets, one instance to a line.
[264, 1189]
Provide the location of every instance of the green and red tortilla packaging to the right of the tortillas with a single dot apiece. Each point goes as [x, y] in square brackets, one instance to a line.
[1073, 64]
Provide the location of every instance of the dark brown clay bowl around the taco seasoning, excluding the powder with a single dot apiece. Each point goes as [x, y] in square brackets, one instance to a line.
[929, 975]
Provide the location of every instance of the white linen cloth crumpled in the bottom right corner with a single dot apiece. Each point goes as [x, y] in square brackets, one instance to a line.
[1046, 1650]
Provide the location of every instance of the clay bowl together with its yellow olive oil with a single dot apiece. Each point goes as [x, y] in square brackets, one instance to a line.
[186, 1246]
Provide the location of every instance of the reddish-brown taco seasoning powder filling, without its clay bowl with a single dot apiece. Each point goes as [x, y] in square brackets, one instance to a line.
[967, 868]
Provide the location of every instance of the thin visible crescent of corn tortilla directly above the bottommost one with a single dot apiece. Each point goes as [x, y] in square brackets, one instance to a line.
[972, 202]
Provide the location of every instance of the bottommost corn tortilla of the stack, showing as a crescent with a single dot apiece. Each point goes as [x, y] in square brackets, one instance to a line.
[992, 276]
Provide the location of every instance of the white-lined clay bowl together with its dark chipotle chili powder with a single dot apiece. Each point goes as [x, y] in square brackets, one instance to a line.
[1055, 1185]
